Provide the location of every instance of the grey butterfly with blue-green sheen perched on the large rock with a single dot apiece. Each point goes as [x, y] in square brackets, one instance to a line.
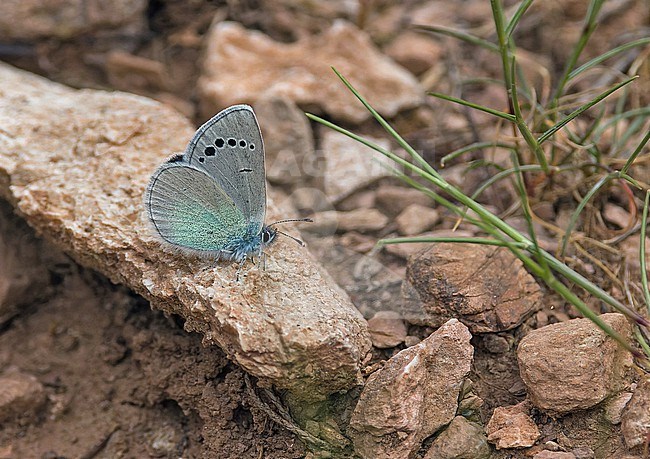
[211, 200]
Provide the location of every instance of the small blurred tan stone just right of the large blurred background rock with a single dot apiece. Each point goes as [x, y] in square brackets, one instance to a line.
[415, 51]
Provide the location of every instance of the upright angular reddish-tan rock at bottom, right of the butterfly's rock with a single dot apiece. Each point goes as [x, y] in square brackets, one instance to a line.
[413, 395]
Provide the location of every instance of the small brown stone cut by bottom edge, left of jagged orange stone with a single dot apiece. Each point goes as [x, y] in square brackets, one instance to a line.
[461, 439]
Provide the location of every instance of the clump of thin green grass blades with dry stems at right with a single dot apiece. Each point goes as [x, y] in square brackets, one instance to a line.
[543, 135]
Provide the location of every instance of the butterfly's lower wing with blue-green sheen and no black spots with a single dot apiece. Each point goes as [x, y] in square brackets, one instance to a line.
[189, 210]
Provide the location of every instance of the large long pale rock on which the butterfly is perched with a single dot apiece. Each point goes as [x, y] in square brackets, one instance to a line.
[75, 164]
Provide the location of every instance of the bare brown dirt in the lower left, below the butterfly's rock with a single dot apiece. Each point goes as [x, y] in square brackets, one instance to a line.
[125, 381]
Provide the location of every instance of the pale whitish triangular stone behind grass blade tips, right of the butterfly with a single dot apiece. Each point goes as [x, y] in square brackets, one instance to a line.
[350, 165]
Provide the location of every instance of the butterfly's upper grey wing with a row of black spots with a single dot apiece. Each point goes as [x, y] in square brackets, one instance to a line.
[229, 148]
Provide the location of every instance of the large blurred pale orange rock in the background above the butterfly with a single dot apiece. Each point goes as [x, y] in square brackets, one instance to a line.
[302, 72]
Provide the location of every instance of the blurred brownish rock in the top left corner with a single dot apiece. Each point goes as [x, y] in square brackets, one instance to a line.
[33, 19]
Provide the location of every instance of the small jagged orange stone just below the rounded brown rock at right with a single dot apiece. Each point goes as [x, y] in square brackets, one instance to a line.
[512, 427]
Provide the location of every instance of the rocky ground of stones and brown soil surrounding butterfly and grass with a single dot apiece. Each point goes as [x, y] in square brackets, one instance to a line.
[111, 347]
